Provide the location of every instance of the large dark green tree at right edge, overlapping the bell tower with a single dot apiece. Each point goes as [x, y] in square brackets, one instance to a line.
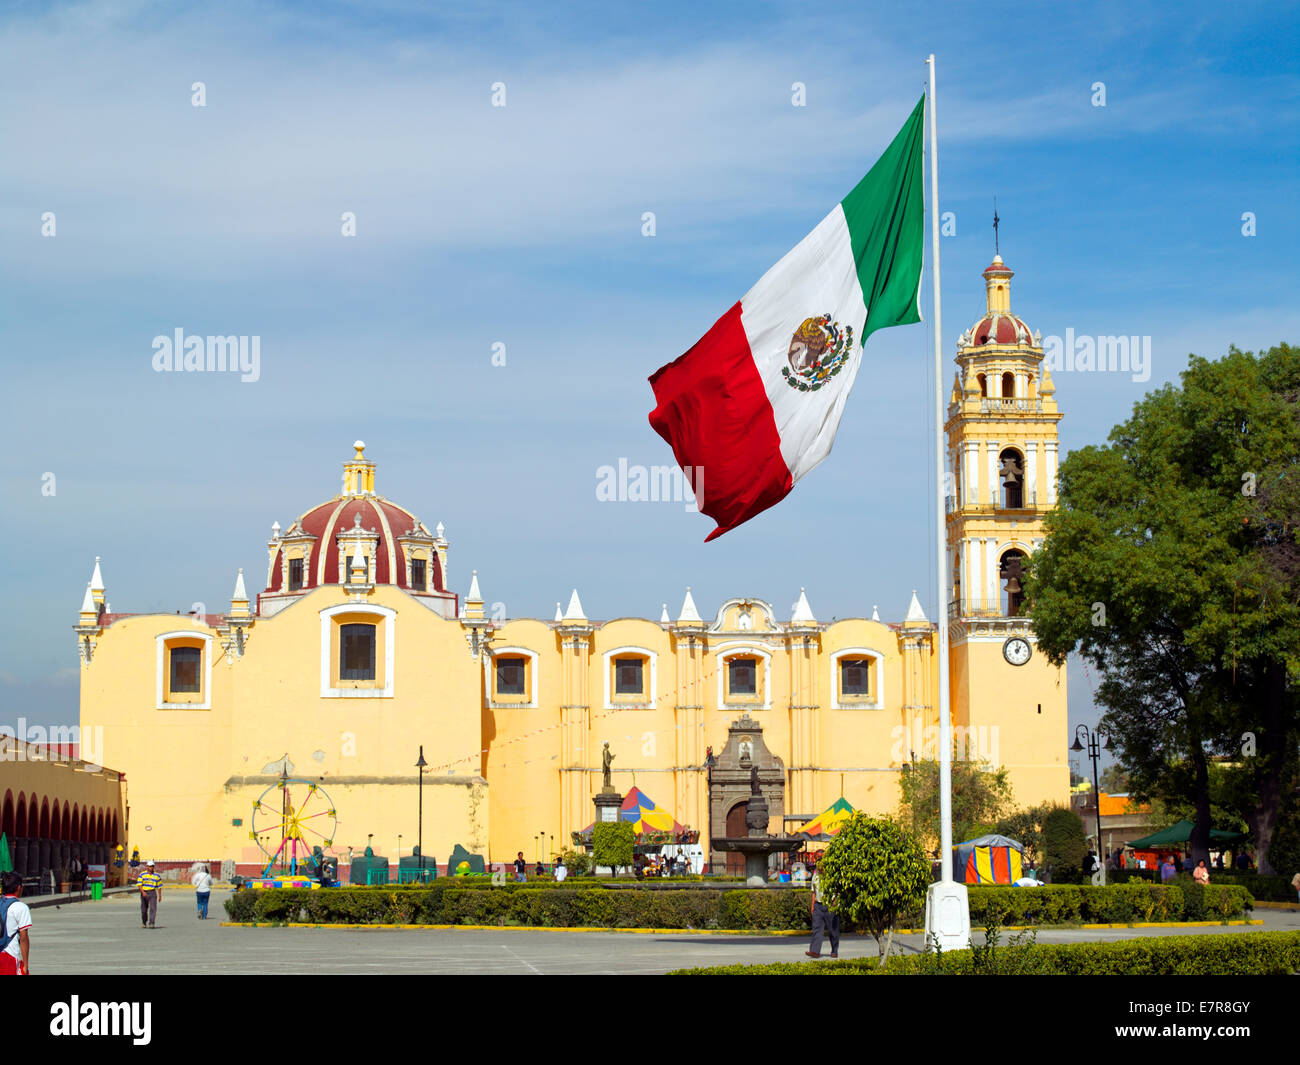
[1172, 565]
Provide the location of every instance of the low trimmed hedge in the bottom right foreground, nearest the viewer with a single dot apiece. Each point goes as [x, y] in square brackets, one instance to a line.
[1234, 955]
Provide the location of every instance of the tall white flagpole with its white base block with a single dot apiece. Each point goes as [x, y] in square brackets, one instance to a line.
[947, 907]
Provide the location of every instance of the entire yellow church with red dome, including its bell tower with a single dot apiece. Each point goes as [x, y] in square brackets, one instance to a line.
[358, 660]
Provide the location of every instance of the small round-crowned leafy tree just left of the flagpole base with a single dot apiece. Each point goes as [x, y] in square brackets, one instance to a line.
[873, 872]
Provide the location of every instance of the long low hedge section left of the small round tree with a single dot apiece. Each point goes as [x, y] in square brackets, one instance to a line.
[553, 908]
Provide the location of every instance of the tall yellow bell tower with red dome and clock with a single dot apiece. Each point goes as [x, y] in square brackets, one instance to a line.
[1003, 451]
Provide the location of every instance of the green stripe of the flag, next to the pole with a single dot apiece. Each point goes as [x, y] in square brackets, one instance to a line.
[887, 228]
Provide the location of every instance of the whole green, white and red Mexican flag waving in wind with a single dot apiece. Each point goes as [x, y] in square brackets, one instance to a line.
[756, 404]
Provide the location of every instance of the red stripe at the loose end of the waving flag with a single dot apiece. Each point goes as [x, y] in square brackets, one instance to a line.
[713, 410]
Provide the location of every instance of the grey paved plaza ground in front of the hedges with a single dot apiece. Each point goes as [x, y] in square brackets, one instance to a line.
[106, 937]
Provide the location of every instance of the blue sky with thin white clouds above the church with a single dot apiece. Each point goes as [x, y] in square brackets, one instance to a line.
[522, 226]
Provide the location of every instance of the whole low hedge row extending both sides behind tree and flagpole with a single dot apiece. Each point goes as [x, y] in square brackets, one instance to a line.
[560, 906]
